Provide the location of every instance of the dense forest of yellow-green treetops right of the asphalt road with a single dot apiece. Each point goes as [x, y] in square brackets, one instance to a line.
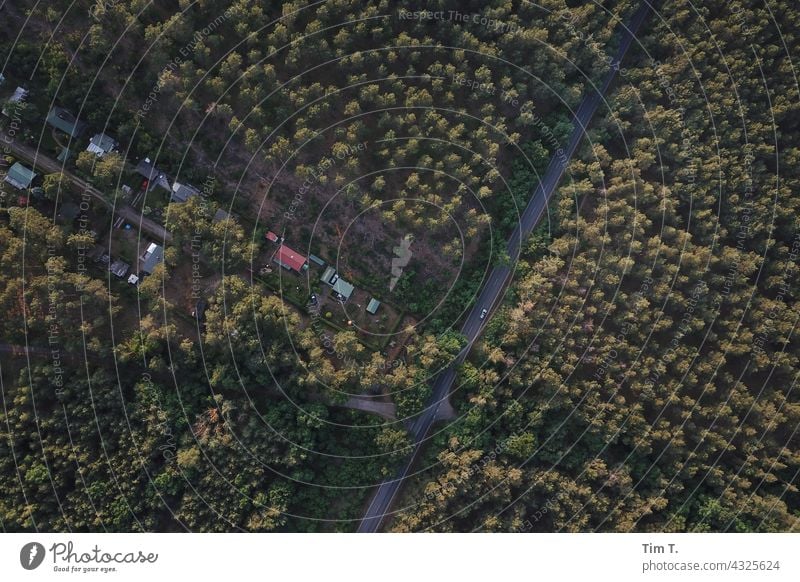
[641, 375]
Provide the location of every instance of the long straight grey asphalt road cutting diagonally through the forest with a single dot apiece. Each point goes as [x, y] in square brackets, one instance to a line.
[536, 208]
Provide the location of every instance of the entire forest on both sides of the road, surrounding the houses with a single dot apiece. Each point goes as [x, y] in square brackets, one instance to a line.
[638, 375]
